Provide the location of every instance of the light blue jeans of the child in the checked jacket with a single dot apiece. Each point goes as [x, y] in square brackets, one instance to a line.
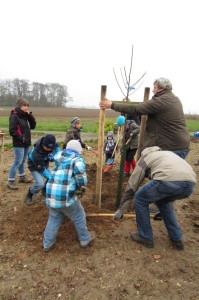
[74, 212]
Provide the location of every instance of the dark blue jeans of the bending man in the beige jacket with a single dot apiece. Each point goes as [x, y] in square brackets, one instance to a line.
[162, 193]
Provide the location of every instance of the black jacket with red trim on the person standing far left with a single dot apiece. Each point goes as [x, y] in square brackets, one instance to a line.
[20, 124]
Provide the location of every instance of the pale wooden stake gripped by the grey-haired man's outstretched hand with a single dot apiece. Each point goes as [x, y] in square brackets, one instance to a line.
[100, 150]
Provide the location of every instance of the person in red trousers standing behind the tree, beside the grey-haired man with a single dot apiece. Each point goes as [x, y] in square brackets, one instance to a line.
[131, 140]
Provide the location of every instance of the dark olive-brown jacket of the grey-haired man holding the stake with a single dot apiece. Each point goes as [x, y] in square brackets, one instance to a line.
[165, 126]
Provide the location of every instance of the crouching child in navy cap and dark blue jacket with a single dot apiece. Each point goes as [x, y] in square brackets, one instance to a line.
[38, 164]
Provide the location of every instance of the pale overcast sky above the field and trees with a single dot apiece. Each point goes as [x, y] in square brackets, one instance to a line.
[78, 42]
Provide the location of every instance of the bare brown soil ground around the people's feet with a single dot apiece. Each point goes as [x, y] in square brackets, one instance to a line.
[113, 267]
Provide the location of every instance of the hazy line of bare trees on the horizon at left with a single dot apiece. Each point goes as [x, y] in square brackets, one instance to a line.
[37, 94]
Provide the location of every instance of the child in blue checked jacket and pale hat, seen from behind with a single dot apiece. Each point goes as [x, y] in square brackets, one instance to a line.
[63, 192]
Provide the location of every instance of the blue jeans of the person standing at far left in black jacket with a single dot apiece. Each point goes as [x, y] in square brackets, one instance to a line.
[20, 156]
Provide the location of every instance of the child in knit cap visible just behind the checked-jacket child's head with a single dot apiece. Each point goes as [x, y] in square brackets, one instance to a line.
[74, 133]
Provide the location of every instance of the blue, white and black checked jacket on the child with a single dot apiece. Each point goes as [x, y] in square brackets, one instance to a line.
[68, 175]
